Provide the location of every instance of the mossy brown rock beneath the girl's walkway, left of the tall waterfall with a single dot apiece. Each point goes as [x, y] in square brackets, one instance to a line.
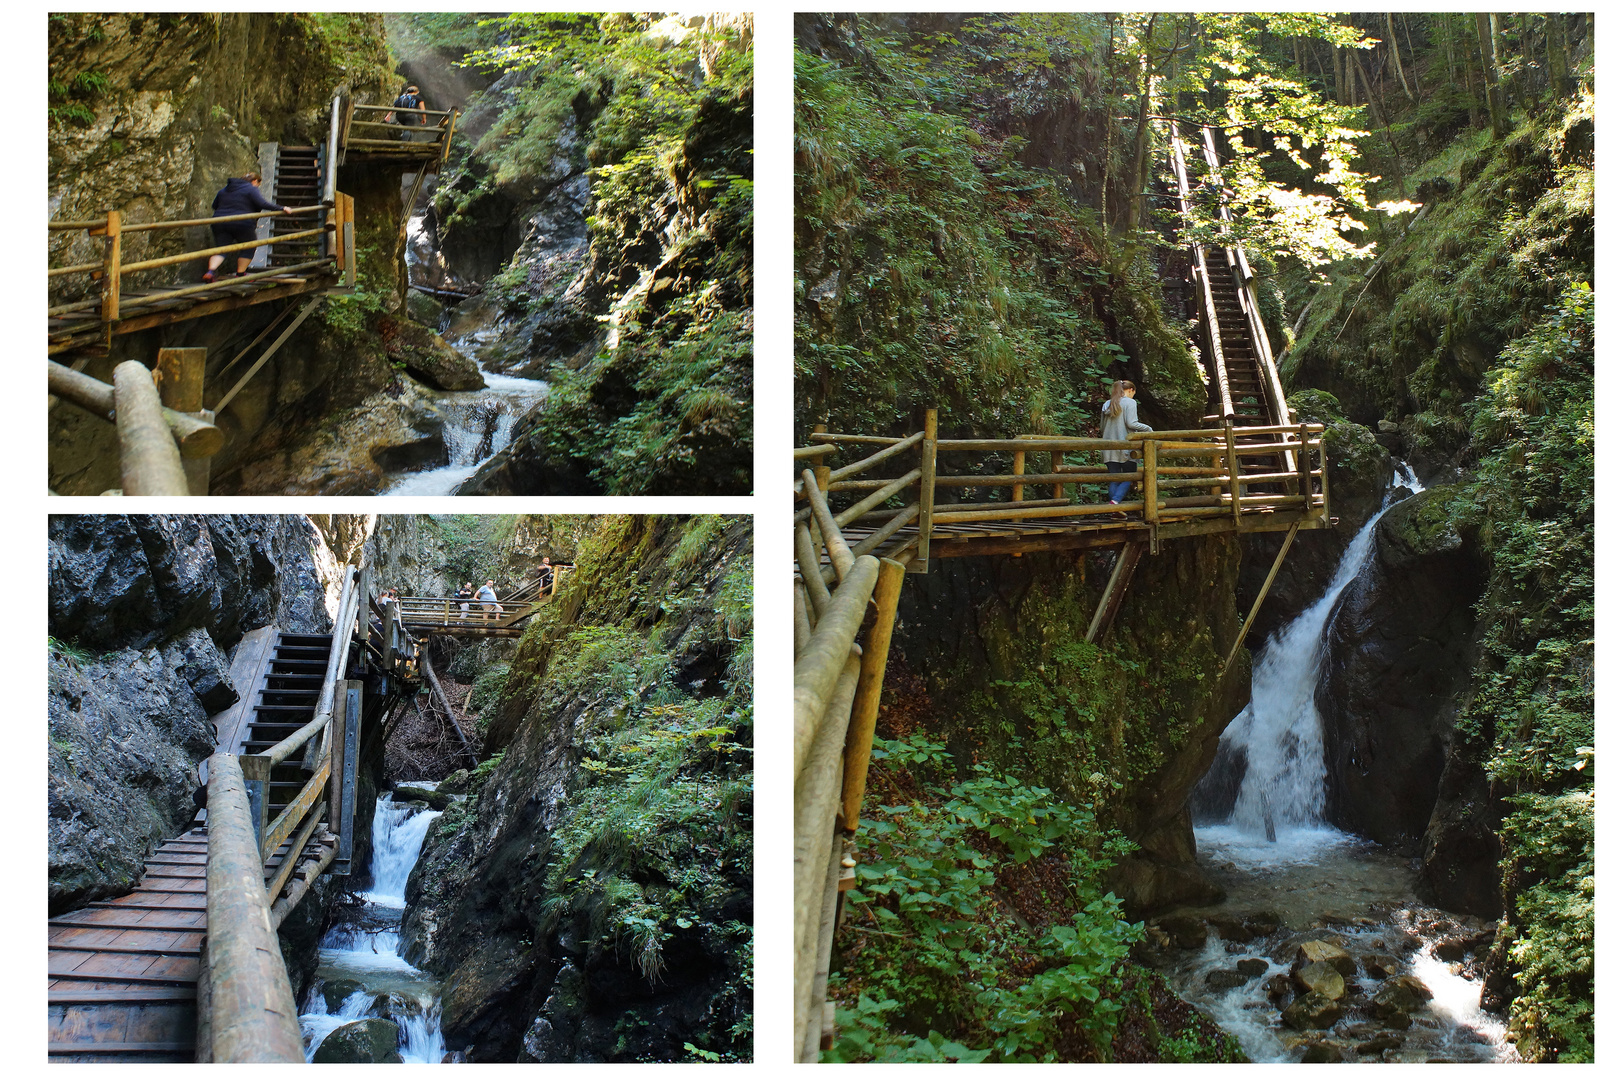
[1002, 642]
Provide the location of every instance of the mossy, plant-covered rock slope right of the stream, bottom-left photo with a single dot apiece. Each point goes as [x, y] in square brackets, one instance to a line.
[566, 922]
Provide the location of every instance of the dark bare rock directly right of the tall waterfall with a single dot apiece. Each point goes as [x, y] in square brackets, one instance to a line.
[1399, 653]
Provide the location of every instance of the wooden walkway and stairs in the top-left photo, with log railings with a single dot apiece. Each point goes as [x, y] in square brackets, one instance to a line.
[166, 425]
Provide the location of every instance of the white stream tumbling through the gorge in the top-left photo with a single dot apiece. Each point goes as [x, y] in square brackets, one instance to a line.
[477, 423]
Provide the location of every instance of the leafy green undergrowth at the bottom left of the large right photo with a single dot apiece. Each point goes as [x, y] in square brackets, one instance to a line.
[979, 929]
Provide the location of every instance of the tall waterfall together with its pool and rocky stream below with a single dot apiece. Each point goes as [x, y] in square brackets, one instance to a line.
[1397, 977]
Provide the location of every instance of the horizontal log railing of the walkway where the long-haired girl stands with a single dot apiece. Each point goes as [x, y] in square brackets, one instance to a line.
[1187, 477]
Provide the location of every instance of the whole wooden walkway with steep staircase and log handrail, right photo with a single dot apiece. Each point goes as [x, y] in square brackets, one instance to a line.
[918, 498]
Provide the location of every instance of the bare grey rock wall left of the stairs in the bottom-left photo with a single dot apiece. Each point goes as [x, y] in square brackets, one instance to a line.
[142, 610]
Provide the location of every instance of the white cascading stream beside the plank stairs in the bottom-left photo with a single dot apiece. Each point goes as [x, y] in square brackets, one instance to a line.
[362, 976]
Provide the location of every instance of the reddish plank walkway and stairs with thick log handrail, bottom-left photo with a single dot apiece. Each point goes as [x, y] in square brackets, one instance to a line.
[187, 967]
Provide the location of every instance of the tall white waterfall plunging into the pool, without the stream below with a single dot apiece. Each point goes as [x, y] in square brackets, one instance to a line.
[1277, 815]
